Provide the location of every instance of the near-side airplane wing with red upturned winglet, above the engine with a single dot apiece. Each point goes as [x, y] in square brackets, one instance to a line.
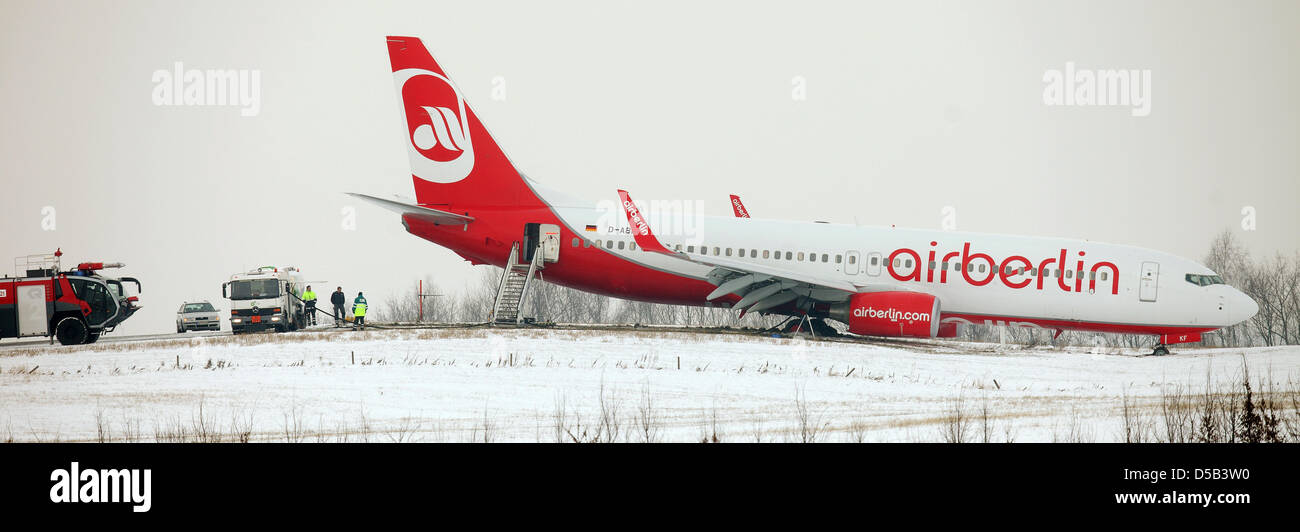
[761, 287]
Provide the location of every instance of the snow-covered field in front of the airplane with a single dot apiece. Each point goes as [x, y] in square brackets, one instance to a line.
[548, 384]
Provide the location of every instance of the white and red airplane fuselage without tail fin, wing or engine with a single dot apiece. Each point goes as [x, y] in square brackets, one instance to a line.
[986, 279]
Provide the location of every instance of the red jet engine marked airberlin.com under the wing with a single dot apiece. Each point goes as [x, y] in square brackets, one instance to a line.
[890, 314]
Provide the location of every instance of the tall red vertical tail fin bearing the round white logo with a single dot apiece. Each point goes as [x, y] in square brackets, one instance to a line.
[454, 161]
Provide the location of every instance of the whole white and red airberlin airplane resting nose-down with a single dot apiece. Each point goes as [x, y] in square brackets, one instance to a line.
[878, 282]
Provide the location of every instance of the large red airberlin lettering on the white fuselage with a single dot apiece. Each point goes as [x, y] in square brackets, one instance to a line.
[1013, 271]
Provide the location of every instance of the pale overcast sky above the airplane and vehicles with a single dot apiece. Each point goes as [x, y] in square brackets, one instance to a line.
[911, 107]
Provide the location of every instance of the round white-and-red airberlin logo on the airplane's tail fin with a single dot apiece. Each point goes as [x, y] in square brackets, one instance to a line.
[439, 140]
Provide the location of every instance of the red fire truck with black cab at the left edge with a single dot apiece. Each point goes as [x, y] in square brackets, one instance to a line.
[76, 306]
